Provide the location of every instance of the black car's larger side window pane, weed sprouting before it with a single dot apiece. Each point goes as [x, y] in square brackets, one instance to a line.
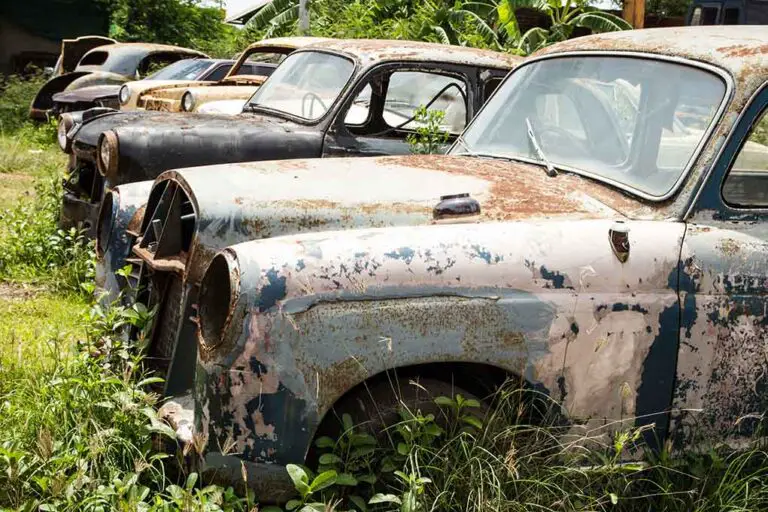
[409, 90]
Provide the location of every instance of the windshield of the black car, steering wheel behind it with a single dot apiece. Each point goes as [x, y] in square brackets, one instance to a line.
[306, 84]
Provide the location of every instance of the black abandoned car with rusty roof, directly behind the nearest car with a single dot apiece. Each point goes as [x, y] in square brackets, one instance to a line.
[322, 100]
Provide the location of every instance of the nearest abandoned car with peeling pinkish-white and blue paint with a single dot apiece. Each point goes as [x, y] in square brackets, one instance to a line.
[599, 231]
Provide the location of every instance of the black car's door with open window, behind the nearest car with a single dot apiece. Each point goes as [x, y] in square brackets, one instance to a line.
[378, 116]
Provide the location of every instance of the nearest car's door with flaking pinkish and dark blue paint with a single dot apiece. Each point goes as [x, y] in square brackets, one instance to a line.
[721, 390]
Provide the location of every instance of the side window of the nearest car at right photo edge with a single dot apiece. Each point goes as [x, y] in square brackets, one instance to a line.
[746, 184]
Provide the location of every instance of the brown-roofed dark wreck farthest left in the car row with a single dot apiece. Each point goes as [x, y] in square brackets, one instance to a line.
[106, 65]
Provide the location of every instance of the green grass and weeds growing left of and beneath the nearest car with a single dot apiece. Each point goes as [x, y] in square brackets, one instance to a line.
[78, 418]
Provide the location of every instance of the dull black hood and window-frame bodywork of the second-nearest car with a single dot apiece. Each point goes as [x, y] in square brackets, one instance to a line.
[151, 142]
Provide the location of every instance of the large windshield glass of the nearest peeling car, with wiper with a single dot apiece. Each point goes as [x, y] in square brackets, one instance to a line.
[633, 121]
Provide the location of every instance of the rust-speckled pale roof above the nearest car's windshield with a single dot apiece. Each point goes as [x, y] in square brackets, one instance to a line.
[742, 50]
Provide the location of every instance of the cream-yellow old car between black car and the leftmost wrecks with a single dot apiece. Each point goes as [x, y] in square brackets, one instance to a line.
[255, 64]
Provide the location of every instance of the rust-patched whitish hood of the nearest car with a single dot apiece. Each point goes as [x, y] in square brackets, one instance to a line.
[235, 203]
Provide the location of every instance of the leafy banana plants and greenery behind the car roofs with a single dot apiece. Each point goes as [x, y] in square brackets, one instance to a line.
[480, 23]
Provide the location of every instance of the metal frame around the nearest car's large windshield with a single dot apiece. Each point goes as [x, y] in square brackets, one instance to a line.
[461, 147]
